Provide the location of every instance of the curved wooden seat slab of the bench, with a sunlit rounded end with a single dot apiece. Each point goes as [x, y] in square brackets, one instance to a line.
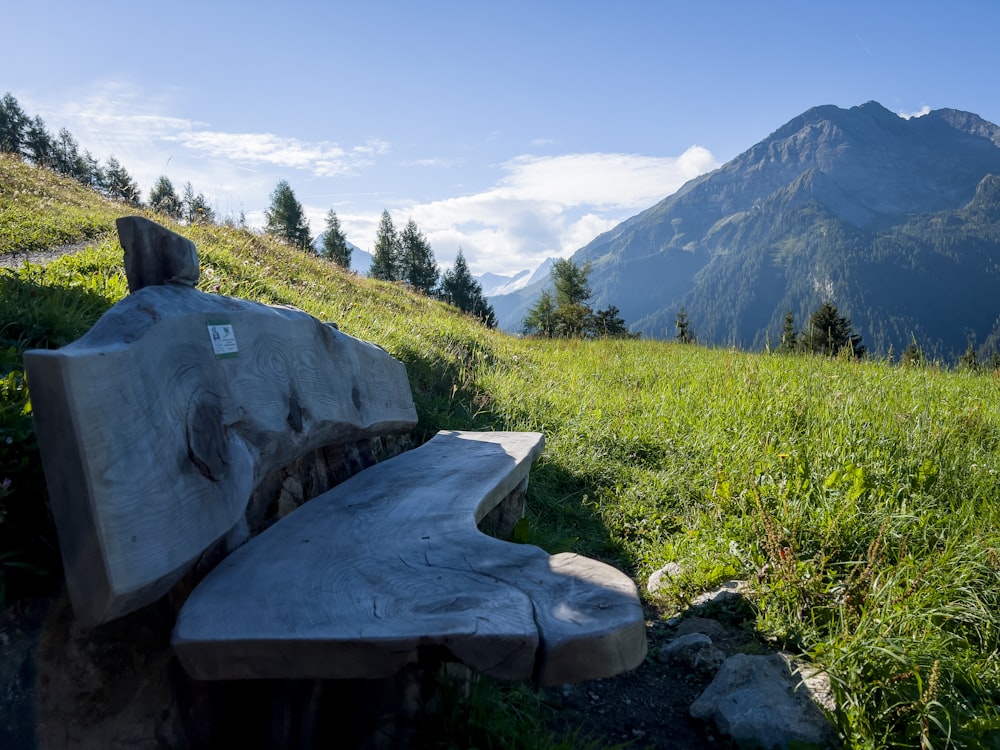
[357, 581]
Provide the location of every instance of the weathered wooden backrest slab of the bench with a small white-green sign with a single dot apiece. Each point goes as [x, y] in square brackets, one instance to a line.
[153, 433]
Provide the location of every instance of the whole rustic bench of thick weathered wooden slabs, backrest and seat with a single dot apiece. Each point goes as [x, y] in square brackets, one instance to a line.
[167, 433]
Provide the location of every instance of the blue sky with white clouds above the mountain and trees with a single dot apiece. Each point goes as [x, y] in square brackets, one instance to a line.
[514, 130]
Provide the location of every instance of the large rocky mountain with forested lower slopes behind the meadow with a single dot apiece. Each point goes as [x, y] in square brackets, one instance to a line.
[892, 219]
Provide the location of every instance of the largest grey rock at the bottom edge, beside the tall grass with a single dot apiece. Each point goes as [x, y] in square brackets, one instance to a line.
[754, 700]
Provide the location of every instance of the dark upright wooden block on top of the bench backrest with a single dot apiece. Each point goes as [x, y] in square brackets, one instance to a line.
[154, 255]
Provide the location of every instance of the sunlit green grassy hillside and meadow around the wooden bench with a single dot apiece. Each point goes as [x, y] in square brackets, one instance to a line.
[860, 500]
